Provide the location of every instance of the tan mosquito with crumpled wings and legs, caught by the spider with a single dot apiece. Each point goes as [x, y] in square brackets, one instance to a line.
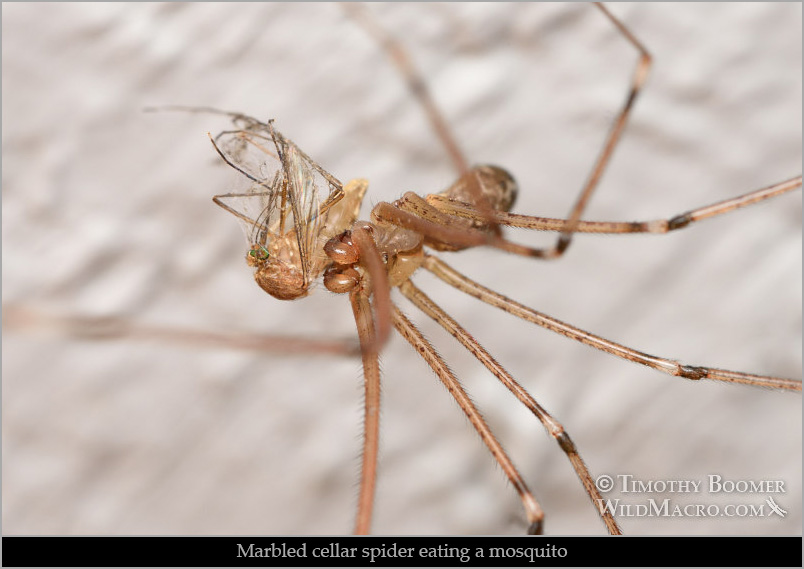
[285, 207]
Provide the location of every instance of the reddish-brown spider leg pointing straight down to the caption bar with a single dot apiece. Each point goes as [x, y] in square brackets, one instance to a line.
[371, 426]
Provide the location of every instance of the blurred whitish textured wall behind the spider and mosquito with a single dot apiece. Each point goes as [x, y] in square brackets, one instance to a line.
[107, 212]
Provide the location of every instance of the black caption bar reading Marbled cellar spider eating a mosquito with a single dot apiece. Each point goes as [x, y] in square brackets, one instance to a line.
[400, 551]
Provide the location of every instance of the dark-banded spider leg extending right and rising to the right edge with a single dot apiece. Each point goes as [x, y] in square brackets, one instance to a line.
[466, 211]
